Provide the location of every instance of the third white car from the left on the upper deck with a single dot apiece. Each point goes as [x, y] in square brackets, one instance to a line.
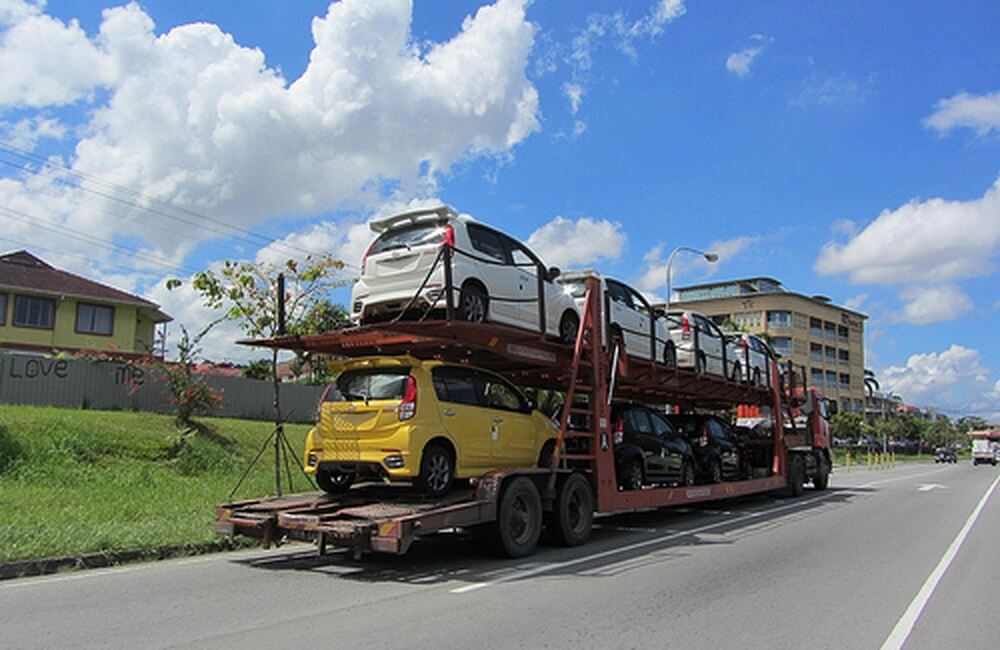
[697, 343]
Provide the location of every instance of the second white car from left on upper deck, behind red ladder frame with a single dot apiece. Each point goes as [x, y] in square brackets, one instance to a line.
[629, 315]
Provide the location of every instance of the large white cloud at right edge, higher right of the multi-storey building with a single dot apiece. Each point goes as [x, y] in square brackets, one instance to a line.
[922, 241]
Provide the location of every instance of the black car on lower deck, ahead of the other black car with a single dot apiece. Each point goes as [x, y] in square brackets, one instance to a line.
[715, 444]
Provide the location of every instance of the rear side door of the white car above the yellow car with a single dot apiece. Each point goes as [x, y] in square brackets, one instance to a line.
[493, 266]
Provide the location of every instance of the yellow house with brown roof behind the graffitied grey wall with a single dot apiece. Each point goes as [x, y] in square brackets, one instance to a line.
[43, 309]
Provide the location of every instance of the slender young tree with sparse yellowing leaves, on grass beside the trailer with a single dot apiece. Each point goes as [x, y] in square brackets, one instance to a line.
[248, 294]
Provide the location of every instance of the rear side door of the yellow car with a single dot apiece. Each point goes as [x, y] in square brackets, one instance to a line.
[470, 425]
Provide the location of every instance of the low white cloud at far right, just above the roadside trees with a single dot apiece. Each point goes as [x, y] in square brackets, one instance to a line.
[954, 379]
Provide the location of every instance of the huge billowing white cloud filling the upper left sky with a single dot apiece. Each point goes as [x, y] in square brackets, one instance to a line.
[192, 118]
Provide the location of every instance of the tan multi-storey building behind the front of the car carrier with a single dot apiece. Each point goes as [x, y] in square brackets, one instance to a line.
[826, 339]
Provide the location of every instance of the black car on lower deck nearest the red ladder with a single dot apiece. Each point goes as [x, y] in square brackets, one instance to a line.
[648, 449]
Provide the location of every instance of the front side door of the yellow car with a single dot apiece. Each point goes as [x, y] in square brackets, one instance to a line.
[514, 433]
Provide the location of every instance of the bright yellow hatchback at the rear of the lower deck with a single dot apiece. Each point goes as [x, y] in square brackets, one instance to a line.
[403, 419]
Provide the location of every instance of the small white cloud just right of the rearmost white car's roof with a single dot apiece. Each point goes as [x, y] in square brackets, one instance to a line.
[564, 242]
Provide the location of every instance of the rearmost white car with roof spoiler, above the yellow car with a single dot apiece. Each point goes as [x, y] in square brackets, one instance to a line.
[494, 277]
